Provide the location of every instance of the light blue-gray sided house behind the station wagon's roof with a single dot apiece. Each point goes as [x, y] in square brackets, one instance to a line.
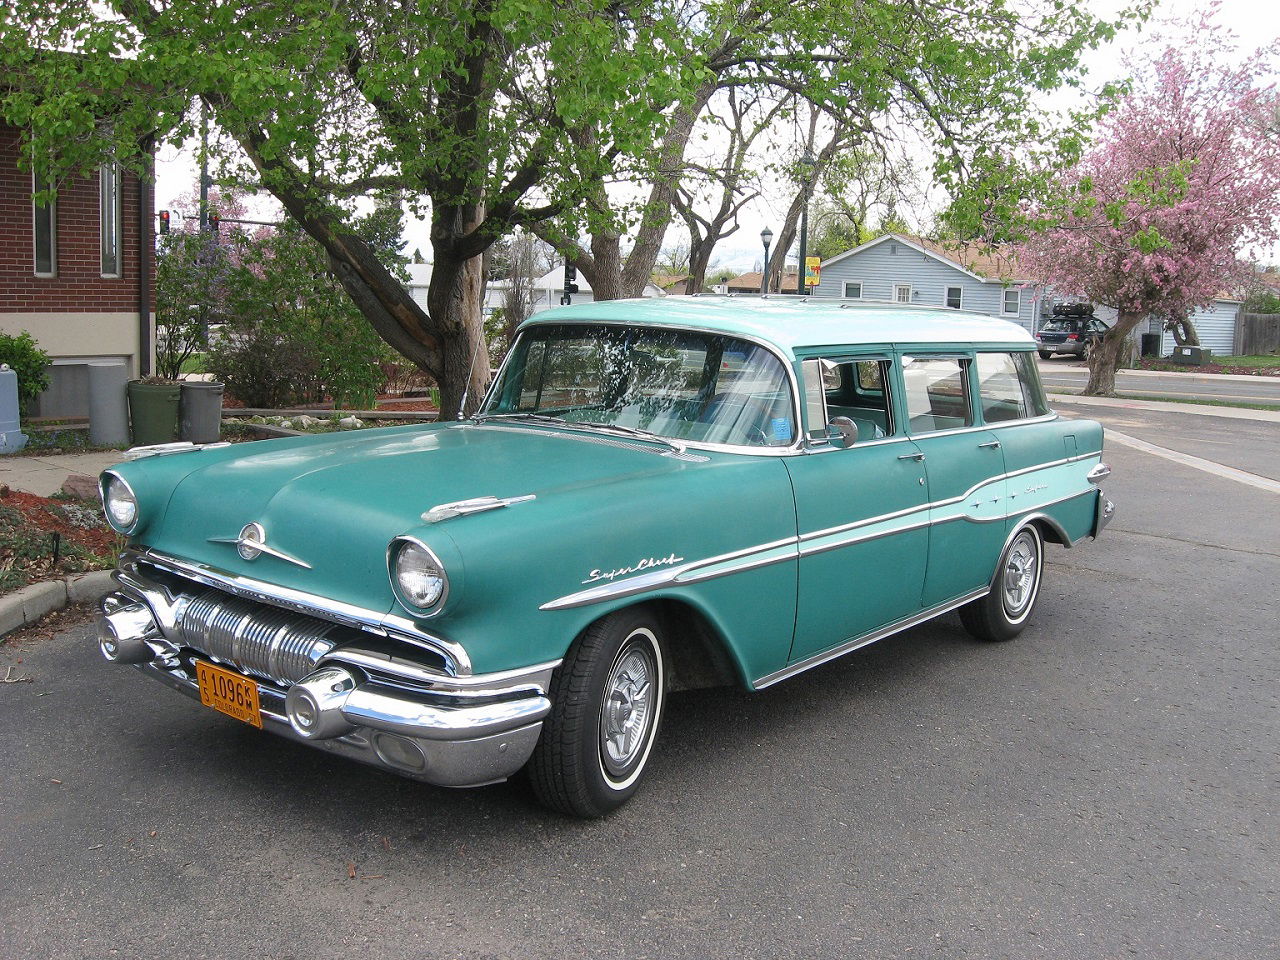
[899, 269]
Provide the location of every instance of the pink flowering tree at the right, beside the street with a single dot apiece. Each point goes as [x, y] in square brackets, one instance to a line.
[1183, 181]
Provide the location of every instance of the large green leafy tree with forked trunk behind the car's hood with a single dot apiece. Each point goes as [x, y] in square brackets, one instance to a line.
[468, 111]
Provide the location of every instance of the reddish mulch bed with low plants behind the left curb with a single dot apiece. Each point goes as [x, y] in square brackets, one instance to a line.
[48, 540]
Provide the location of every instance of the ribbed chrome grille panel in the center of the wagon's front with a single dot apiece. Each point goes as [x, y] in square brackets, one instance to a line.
[263, 641]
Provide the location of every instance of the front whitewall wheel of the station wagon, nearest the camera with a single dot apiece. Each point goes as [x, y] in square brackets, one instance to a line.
[607, 701]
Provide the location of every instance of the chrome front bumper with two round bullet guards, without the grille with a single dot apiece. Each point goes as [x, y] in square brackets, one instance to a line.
[382, 711]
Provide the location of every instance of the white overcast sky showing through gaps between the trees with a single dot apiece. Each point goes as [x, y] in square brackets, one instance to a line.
[1256, 22]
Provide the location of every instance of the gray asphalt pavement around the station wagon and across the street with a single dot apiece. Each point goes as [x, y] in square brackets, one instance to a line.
[1104, 787]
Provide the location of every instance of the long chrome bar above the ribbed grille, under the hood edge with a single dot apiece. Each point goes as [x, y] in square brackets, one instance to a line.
[373, 621]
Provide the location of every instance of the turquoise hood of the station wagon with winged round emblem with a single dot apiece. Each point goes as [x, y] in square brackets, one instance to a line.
[332, 504]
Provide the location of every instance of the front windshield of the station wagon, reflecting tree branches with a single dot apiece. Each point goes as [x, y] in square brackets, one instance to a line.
[694, 387]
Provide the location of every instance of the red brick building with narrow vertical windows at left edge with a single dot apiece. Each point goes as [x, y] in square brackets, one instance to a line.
[79, 276]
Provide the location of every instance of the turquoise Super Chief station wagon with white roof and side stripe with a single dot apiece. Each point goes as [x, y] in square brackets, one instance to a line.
[653, 496]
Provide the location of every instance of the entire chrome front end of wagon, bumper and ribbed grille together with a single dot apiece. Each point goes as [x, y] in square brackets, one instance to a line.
[351, 682]
